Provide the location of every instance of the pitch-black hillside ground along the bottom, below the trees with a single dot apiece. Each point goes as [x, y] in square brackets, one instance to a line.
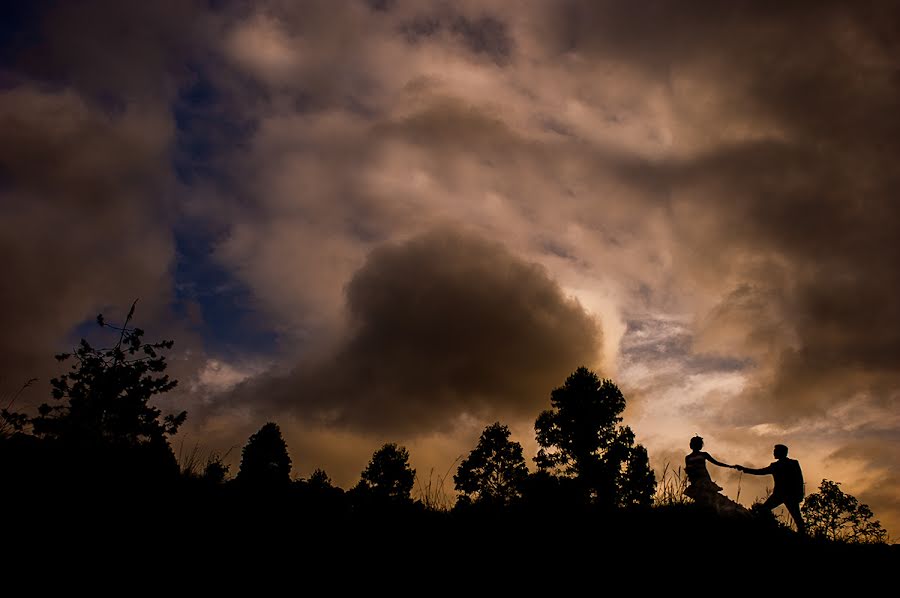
[134, 542]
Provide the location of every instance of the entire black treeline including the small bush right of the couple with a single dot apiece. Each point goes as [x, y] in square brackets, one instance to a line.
[102, 447]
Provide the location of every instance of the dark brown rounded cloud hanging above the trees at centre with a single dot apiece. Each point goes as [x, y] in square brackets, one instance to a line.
[443, 325]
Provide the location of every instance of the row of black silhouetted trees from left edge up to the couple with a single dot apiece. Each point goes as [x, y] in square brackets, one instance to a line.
[102, 431]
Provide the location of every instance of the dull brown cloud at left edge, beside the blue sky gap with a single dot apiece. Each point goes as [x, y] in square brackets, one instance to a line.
[80, 231]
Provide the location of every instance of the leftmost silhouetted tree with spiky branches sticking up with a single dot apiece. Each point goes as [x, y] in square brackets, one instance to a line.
[104, 403]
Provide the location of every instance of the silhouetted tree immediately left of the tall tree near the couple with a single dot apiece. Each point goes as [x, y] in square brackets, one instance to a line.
[494, 471]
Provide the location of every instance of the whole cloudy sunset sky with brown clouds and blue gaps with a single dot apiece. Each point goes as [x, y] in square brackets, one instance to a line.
[400, 221]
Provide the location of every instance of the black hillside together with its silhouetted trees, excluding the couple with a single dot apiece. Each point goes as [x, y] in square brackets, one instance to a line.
[84, 491]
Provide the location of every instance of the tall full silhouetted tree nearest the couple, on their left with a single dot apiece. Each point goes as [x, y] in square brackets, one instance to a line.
[580, 437]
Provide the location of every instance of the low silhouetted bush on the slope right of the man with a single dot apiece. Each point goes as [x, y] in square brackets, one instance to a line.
[833, 514]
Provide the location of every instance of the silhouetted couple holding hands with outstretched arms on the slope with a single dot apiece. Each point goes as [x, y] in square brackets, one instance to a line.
[788, 482]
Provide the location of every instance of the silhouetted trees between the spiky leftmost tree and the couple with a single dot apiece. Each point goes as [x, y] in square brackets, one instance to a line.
[586, 458]
